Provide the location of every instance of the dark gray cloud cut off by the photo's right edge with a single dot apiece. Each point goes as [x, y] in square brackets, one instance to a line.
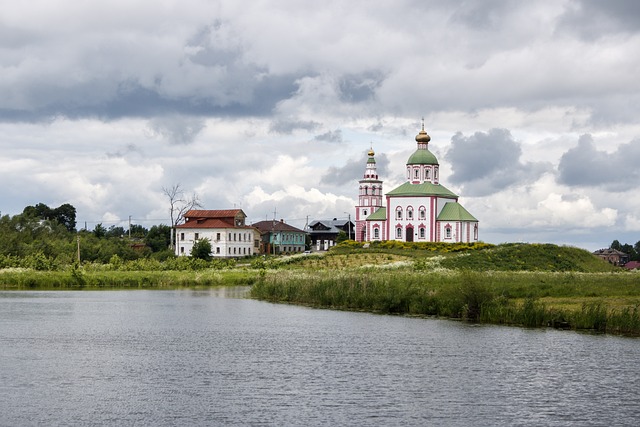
[586, 166]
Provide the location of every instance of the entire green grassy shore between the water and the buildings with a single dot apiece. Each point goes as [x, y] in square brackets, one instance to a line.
[532, 285]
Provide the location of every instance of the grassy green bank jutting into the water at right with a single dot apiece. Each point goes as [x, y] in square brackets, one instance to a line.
[500, 298]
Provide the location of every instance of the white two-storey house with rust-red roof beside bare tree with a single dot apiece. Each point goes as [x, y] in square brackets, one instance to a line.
[230, 237]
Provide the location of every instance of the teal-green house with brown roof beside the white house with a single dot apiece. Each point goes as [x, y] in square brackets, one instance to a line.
[278, 237]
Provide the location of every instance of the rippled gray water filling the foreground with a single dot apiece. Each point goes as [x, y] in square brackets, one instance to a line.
[208, 357]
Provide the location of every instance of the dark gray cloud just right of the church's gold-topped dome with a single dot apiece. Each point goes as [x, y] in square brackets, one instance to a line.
[489, 162]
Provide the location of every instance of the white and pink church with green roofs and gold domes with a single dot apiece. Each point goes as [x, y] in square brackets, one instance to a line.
[420, 210]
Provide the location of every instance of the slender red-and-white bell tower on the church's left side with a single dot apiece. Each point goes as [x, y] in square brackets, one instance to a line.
[369, 197]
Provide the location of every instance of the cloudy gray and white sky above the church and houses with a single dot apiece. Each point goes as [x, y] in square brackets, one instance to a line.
[533, 109]
